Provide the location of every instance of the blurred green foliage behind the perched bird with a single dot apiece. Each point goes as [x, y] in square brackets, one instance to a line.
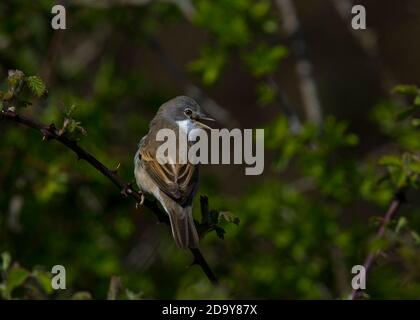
[303, 225]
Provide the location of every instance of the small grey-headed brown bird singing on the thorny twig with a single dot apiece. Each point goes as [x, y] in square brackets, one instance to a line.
[173, 185]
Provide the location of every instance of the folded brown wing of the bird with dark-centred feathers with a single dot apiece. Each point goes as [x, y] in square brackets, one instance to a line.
[178, 181]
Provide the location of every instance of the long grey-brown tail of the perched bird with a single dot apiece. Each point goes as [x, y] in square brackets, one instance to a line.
[183, 228]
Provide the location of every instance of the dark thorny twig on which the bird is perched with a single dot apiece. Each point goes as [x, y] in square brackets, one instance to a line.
[50, 133]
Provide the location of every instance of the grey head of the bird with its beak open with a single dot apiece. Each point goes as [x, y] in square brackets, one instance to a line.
[182, 108]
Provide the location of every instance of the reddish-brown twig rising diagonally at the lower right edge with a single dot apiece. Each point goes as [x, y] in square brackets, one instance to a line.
[396, 203]
